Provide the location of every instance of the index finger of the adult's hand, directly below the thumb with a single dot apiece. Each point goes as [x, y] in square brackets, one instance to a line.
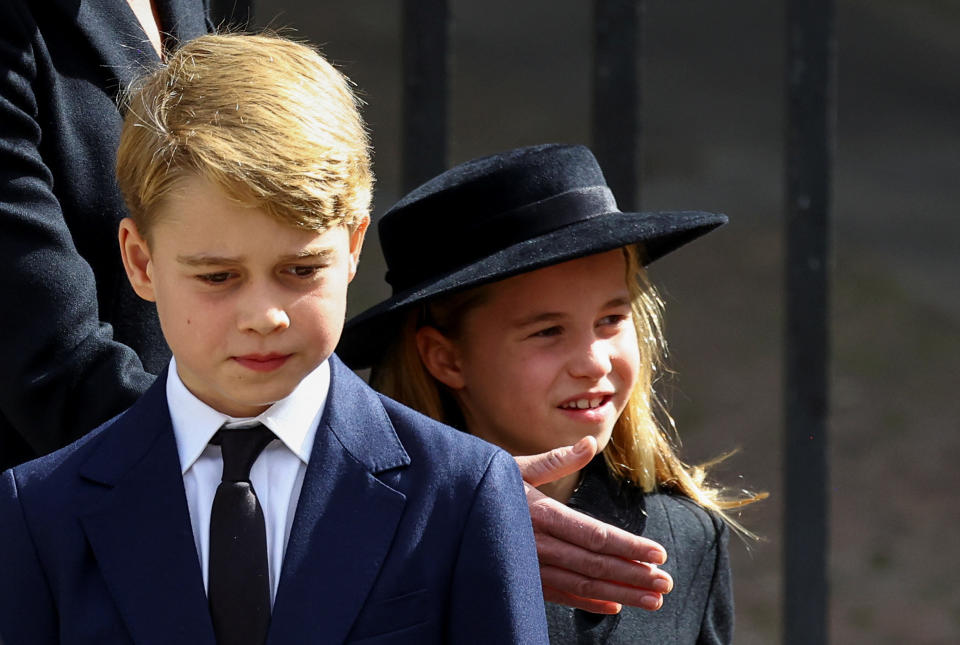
[552, 518]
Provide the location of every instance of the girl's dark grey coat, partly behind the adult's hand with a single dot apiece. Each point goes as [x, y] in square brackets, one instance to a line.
[698, 611]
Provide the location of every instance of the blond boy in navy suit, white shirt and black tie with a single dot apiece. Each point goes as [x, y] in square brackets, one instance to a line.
[259, 491]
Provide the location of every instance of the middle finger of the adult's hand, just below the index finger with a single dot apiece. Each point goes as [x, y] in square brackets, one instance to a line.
[573, 560]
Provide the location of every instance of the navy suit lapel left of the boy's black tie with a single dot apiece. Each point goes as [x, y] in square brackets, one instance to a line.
[139, 530]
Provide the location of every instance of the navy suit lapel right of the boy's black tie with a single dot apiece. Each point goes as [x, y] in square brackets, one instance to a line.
[346, 517]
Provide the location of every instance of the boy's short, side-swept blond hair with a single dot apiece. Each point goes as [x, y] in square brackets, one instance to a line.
[266, 119]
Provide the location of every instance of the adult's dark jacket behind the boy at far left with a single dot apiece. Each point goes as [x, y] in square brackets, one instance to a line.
[76, 344]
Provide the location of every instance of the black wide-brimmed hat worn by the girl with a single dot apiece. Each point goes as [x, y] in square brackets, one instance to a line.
[499, 216]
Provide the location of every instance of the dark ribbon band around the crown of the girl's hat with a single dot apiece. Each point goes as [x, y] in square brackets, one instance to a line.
[502, 230]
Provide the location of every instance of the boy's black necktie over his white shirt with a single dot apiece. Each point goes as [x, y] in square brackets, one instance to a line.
[239, 580]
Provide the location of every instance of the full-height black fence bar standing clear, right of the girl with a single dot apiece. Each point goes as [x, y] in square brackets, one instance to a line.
[811, 77]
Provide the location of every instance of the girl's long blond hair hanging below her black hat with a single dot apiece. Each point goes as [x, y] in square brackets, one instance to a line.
[639, 451]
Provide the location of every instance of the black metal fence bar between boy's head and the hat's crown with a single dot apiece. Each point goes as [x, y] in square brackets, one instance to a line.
[426, 27]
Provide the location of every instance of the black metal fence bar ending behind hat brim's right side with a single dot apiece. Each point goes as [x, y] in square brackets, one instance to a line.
[616, 96]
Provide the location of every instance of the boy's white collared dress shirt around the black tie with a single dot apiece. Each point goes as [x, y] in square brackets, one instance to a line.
[276, 475]
